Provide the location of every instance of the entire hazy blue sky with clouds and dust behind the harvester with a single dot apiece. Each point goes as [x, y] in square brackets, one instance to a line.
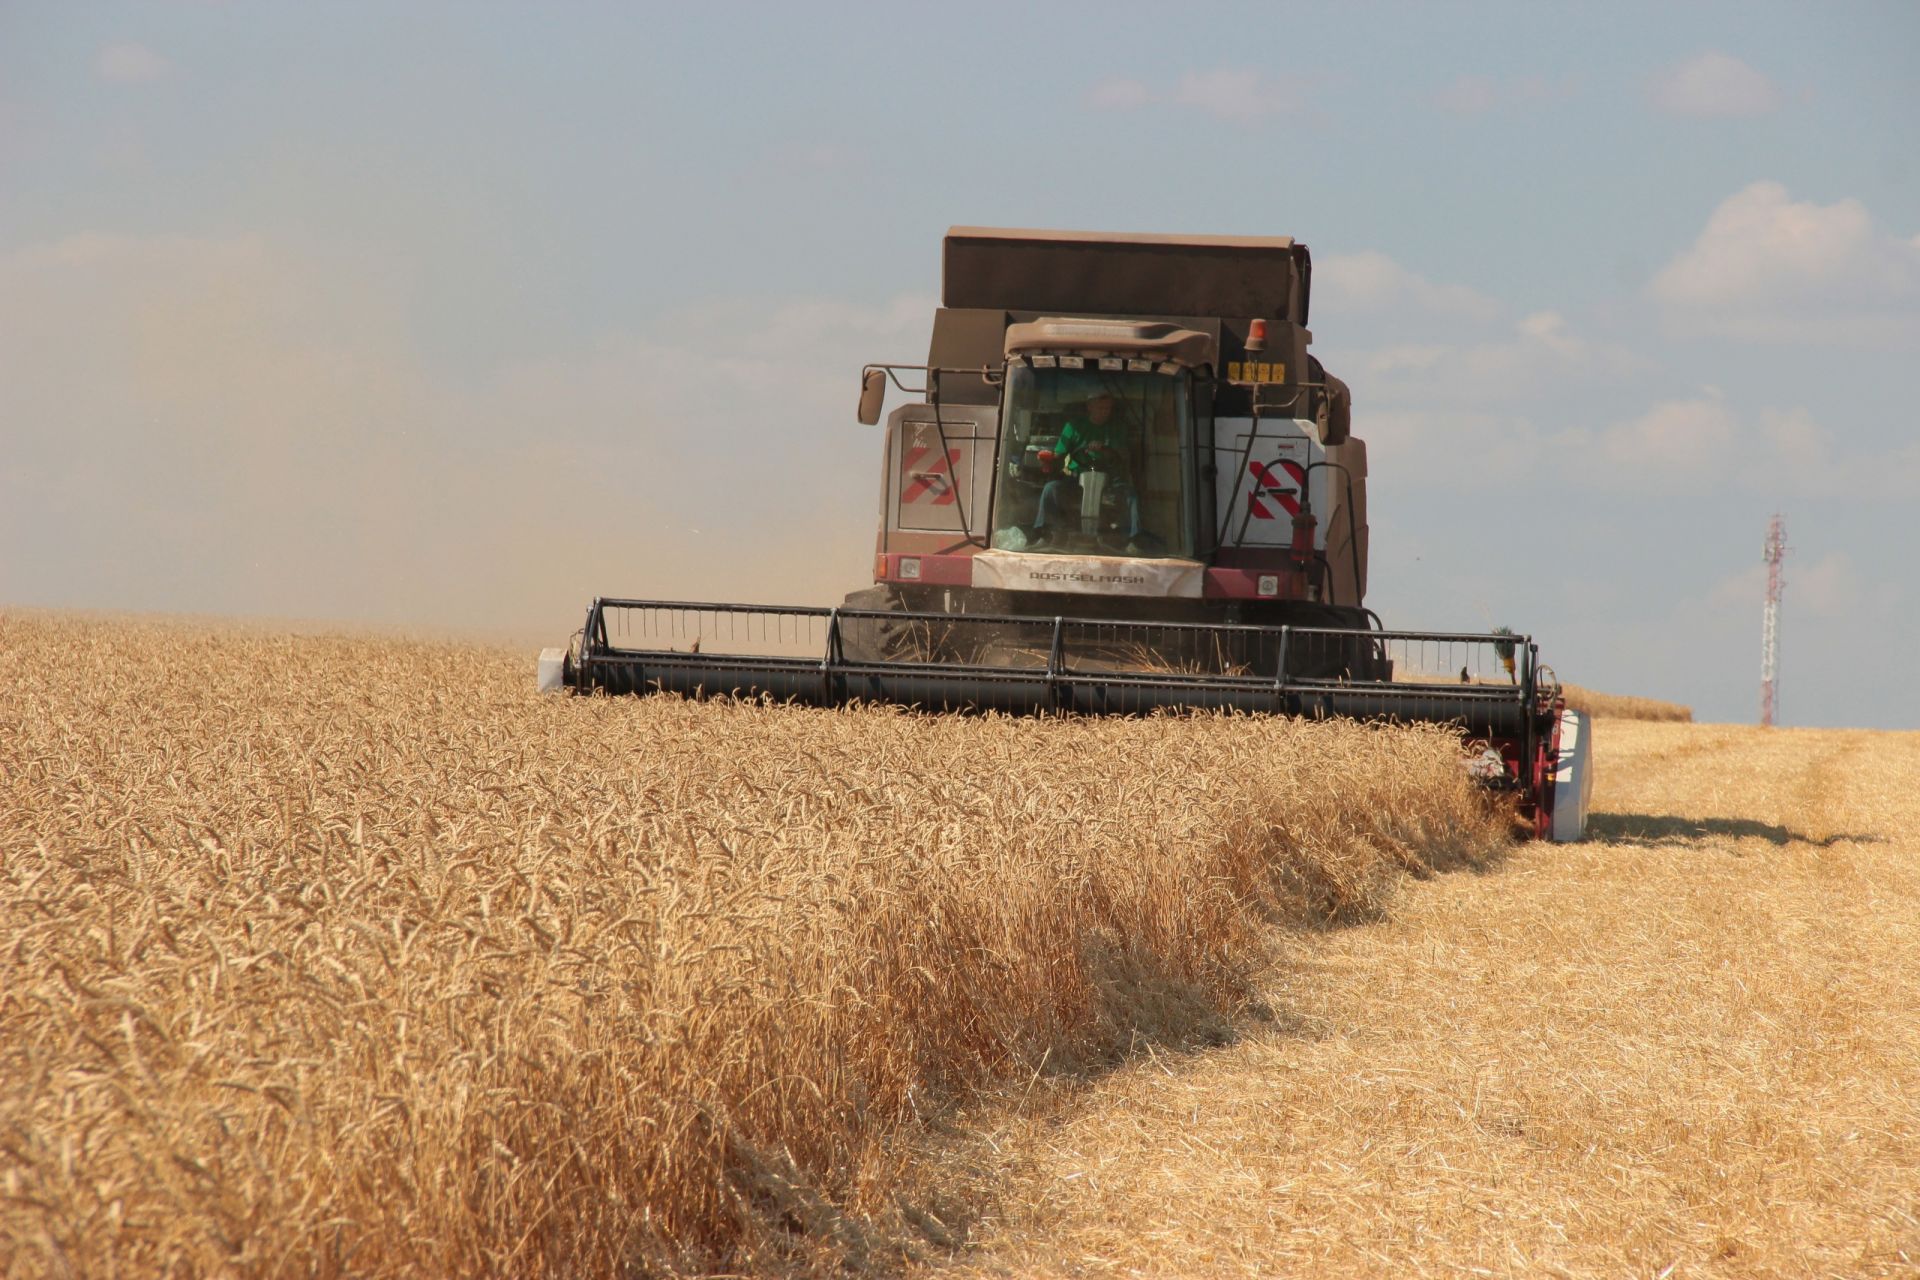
[454, 316]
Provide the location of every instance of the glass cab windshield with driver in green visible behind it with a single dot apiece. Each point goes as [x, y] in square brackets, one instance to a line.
[1095, 463]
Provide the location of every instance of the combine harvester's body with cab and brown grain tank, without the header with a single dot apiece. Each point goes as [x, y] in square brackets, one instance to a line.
[1122, 427]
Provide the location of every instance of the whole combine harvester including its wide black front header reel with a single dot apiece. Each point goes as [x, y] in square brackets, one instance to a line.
[1122, 485]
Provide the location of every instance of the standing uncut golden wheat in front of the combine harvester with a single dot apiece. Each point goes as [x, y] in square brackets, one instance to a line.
[343, 957]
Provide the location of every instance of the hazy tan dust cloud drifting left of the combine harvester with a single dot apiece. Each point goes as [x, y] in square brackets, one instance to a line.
[226, 427]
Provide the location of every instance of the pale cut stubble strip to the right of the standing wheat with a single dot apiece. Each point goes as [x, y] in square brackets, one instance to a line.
[1689, 1047]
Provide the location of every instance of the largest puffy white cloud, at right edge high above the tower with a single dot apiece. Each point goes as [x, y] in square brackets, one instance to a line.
[1771, 268]
